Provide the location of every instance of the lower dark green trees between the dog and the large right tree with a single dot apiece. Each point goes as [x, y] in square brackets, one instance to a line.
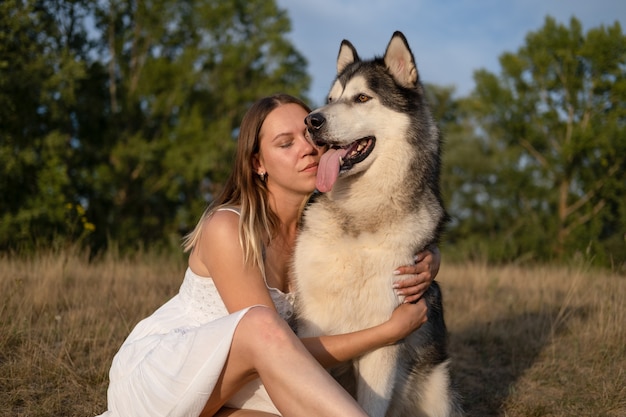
[471, 164]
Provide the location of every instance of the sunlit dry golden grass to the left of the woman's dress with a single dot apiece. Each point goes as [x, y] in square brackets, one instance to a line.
[62, 321]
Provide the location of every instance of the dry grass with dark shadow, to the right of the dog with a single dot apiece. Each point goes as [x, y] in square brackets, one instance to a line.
[538, 341]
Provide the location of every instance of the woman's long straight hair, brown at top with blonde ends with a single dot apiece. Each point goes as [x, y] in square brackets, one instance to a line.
[244, 188]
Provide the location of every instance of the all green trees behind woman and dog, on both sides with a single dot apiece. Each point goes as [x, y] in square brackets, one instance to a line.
[117, 121]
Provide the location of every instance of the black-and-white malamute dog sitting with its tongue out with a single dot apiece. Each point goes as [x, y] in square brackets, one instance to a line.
[380, 205]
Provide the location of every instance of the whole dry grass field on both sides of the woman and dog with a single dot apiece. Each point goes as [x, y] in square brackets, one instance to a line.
[541, 341]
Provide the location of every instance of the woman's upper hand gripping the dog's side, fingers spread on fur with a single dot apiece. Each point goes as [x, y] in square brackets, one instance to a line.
[423, 272]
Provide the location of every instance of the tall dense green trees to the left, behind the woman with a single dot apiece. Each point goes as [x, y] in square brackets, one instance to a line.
[118, 117]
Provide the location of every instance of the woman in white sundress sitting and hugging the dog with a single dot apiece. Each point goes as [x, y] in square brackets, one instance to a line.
[202, 352]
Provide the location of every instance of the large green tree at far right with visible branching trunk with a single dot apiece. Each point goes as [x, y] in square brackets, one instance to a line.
[552, 128]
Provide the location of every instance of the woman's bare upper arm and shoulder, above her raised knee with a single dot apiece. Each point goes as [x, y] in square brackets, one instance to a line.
[219, 255]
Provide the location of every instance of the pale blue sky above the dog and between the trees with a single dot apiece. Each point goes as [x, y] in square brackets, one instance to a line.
[449, 38]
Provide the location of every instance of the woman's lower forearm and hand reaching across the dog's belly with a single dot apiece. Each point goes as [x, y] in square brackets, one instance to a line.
[332, 350]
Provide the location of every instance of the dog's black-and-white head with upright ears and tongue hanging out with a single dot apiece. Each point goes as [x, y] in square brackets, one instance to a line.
[371, 106]
